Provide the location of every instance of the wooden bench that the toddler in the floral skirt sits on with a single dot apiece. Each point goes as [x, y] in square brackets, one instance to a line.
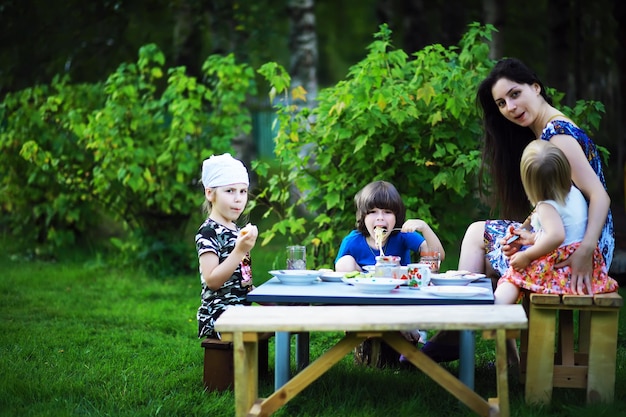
[587, 361]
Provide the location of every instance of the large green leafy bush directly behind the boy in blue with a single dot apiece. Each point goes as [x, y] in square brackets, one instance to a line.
[412, 122]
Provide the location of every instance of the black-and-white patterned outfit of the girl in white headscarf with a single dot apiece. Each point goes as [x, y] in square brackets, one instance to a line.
[216, 238]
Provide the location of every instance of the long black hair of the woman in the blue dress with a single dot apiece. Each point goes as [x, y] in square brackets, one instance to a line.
[505, 141]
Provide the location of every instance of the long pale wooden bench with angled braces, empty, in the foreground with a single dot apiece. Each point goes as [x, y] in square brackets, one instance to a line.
[360, 323]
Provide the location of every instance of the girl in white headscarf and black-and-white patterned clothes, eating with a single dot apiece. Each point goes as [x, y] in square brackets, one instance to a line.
[223, 248]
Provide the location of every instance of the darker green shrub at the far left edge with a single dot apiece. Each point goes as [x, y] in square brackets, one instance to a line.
[46, 198]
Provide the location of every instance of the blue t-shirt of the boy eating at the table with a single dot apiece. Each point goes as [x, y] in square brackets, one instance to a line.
[398, 244]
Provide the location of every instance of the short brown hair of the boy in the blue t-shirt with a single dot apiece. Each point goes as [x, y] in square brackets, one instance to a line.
[378, 194]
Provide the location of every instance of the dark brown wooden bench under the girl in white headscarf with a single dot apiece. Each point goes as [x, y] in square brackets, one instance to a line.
[218, 374]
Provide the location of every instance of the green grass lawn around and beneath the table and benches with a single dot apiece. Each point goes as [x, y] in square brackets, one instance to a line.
[83, 338]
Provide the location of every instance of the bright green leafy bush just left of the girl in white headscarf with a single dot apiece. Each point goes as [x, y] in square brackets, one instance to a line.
[148, 145]
